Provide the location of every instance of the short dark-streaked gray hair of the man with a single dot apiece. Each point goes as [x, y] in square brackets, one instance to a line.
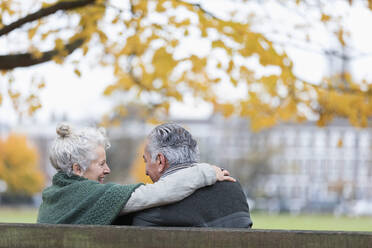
[174, 142]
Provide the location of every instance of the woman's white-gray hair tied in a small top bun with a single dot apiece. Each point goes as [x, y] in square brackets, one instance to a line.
[76, 146]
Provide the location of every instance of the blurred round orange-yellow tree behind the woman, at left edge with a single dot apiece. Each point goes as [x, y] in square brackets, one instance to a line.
[19, 166]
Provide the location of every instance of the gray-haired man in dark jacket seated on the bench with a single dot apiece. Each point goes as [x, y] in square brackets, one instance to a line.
[169, 149]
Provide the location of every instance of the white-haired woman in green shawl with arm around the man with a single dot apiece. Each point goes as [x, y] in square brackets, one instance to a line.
[78, 196]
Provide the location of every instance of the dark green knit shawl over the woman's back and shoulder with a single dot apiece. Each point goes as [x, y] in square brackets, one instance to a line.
[77, 200]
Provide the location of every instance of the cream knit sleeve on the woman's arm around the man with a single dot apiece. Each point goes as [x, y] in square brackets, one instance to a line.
[170, 189]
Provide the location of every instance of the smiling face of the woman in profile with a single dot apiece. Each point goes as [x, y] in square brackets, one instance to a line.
[98, 169]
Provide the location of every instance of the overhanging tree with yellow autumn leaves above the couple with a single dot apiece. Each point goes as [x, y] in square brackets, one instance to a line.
[143, 42]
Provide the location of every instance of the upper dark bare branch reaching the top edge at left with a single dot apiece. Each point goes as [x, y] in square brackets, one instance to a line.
[44, 12]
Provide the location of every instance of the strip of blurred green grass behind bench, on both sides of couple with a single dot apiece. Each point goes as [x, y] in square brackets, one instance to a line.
[260, 220]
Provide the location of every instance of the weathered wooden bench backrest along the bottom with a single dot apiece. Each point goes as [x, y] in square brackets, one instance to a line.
[84, 236]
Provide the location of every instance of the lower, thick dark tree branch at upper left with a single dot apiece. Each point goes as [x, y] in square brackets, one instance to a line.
[9, 62]
